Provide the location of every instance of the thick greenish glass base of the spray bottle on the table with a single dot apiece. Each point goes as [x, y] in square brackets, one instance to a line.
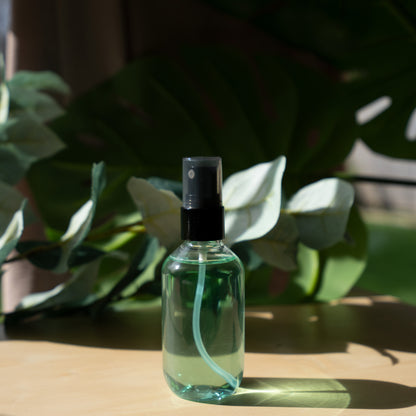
[200, 393]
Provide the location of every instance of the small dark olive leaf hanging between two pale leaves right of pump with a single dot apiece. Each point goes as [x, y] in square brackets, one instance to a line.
[279, 246]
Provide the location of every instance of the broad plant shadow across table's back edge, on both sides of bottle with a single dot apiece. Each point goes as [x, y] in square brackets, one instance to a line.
[385, 327]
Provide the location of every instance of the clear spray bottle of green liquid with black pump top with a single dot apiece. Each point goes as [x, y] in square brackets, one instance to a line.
[203, 295]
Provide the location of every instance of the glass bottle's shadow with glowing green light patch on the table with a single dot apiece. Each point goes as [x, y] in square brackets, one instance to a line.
[322, 393]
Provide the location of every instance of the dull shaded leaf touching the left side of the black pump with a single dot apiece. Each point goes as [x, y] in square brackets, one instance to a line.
[160, 210]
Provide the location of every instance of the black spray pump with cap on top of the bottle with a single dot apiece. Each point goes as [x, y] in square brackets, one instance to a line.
[202, 213]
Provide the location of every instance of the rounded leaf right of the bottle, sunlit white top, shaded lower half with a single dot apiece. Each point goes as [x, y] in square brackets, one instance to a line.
[321, 211]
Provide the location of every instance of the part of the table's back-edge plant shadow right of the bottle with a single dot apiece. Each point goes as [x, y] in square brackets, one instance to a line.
[384, 326]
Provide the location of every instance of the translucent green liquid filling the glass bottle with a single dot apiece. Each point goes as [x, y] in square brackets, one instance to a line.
[221, 323]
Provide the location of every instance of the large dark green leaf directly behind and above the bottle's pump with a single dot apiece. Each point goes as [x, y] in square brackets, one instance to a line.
[141, 122]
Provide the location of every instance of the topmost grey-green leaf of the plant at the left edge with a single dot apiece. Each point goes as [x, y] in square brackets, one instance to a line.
[39, 80]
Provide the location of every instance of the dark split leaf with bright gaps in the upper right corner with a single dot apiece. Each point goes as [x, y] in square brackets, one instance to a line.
[367, 48]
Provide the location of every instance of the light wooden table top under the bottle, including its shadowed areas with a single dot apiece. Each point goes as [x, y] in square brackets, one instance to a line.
[353, 357]
